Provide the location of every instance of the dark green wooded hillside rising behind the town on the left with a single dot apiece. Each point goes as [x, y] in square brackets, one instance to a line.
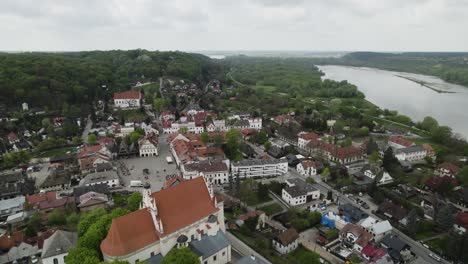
[78, 78]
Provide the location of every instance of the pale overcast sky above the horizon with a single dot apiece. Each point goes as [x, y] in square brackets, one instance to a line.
[325, 25]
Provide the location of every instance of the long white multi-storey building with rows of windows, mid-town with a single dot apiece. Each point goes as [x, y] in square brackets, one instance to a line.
[259, 168]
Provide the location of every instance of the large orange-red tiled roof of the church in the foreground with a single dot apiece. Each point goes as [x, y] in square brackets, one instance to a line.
[177, 206]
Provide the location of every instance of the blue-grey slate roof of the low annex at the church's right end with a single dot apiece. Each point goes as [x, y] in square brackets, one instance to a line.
[209, 245]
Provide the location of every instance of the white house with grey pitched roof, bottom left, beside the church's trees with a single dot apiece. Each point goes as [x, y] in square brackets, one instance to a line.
[57, 246]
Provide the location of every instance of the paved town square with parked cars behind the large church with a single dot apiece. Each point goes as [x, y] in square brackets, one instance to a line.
[152, 170]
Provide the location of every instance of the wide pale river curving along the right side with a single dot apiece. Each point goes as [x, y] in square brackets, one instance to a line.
[387, 90]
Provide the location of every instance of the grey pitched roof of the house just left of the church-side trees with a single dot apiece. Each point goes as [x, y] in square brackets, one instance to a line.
[60, 242]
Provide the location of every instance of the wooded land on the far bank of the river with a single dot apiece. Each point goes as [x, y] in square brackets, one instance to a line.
[449, 66]
